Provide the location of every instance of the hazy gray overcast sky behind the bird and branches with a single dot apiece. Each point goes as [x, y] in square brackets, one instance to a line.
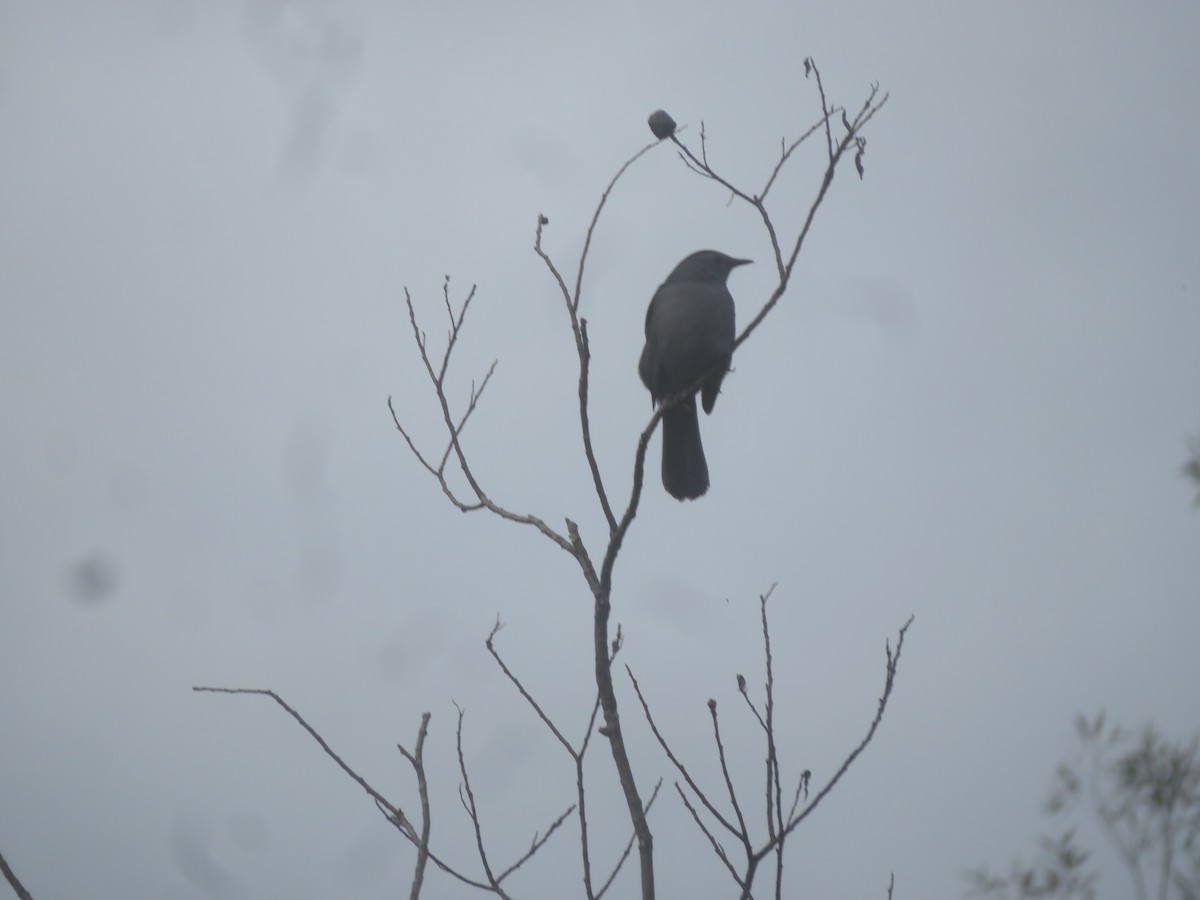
[973, 406]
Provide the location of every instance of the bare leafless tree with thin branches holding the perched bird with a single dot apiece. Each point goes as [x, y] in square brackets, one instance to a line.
[452, 465]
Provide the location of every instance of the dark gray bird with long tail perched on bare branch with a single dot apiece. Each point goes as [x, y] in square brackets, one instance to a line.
[689, 341]
